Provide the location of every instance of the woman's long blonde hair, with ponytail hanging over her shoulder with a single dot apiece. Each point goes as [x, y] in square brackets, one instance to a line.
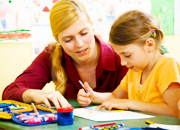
[63, 14]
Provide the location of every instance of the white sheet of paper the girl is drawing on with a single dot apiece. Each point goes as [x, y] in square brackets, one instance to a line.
[104, 115]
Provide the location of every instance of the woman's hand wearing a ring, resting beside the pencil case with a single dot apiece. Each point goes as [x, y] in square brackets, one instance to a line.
[46, 97]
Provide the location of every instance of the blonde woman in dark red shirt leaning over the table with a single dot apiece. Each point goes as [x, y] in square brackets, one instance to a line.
[77, 55]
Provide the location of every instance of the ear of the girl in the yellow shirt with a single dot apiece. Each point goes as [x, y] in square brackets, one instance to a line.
[150, 44]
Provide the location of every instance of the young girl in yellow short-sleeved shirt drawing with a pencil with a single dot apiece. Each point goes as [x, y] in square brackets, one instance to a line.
[152, 83]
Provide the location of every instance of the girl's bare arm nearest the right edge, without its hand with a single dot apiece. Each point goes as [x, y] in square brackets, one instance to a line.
[168, 108]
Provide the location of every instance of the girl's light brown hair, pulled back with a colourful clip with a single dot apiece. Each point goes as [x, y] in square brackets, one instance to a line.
[133, 27]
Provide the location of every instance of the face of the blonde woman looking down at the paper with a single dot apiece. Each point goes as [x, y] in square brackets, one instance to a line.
[78, 40]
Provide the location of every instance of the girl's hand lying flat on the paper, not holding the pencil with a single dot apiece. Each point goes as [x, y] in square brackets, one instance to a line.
[115, 103]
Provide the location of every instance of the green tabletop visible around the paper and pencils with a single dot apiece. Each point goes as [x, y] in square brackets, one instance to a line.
[79, 122]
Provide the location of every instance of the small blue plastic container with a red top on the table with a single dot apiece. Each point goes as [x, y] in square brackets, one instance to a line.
[65, 116]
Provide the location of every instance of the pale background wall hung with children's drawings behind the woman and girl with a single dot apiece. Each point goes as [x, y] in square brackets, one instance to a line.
[25, 28]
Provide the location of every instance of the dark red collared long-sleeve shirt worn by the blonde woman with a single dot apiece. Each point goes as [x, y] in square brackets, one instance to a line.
[109, 73]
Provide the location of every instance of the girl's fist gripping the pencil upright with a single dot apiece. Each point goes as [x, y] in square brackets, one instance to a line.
[84, 99]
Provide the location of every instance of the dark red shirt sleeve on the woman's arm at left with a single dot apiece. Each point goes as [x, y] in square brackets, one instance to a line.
[34, 77]
